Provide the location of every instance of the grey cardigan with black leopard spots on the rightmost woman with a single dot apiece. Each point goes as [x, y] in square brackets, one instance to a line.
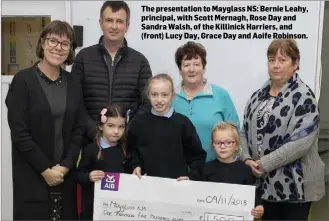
[289, 148]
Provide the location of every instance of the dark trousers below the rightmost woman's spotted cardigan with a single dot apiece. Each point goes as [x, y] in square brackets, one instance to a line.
[286, 211]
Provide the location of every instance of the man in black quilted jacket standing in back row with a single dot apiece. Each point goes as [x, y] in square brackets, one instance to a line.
[110, 71]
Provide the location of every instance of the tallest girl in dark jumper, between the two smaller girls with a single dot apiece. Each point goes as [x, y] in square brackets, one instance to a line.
[164, 143]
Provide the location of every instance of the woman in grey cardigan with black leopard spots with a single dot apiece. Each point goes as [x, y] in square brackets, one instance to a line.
[279, 138]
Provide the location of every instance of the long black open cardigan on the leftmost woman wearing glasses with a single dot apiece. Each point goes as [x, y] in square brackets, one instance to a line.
[32, 134]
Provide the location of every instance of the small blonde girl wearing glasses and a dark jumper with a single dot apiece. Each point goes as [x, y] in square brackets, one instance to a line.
[225, 169]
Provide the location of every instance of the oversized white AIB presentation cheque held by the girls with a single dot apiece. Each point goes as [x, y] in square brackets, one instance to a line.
[126, 197]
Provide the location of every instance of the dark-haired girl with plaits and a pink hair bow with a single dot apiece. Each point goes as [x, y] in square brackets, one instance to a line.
[107, 154]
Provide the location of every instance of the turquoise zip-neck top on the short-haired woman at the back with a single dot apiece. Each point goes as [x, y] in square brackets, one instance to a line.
[210, 106]
